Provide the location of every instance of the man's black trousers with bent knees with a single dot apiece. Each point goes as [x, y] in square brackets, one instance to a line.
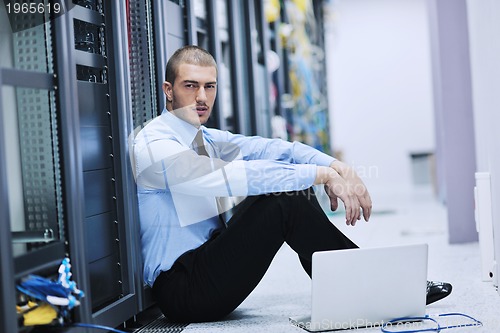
[209, 282]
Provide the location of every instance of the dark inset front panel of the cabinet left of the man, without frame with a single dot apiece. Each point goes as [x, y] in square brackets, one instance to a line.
[98, 150]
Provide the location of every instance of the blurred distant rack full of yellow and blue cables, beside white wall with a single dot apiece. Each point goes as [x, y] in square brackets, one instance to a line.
[301, 79]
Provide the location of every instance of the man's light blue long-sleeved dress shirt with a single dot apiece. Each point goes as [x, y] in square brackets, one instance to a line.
[177, 187]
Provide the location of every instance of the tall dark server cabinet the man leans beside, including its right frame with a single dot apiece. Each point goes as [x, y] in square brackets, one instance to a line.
[99, 38]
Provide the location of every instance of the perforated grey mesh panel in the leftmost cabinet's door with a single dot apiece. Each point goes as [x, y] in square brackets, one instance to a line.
[38, 129]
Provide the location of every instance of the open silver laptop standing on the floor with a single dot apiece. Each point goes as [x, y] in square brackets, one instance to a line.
[358, 288]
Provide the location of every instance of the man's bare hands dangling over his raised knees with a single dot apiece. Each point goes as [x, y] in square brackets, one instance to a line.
[341, 181]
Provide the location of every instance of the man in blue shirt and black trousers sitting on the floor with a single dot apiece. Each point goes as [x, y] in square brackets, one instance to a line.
[200, 267]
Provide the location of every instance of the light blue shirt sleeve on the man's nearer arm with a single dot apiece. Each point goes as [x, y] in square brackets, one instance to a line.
[167, 165]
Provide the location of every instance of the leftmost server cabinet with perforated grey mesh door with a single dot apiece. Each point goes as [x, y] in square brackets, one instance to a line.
[32, 213]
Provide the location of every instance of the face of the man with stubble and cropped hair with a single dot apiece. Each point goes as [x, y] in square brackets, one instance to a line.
[192, 96]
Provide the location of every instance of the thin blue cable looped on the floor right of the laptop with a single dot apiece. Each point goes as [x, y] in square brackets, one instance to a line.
[404, 321]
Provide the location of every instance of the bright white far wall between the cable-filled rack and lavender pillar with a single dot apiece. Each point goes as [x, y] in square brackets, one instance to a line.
[380, 87]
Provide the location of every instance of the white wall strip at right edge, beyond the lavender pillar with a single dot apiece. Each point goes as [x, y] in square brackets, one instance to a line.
[484, 34]
